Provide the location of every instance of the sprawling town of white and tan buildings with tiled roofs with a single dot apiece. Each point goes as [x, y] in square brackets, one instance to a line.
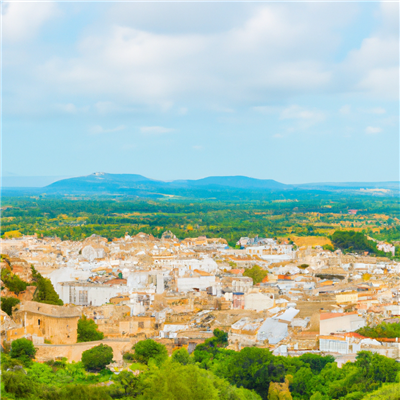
[179, 291]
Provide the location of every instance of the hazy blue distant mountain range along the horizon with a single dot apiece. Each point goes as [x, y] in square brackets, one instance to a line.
[215, 186]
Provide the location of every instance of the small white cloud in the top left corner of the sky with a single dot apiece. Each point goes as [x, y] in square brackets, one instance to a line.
[21, 21]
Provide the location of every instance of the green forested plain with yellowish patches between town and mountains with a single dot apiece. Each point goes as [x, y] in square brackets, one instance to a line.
[318, 215]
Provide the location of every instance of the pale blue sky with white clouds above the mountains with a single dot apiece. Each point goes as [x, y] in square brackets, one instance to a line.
[296, 92]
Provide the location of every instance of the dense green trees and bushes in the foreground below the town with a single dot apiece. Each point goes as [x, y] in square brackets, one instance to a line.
[211, 372]
